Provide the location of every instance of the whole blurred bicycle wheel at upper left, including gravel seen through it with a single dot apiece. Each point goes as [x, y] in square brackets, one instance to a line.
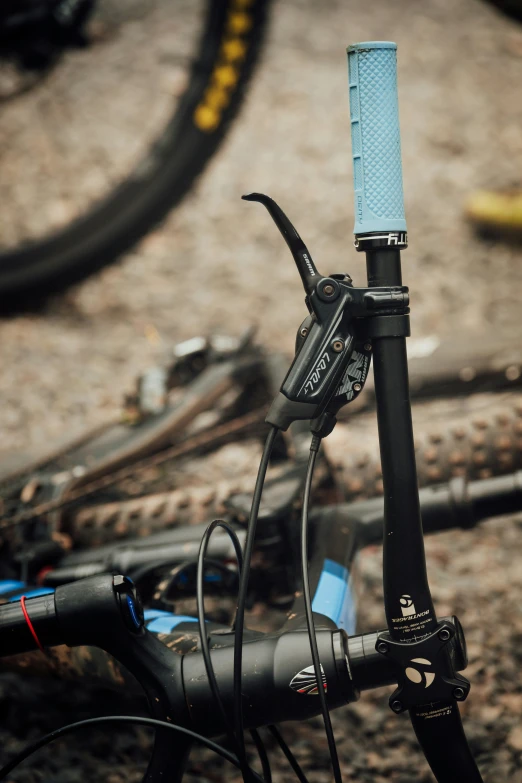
[91, 187]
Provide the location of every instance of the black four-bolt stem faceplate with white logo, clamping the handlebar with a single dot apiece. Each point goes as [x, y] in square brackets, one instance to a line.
[427, 669]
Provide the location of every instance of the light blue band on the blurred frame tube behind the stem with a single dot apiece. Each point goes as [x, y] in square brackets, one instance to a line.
[334, 597]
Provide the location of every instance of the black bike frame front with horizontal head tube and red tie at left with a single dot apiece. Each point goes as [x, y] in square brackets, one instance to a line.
[105, 611]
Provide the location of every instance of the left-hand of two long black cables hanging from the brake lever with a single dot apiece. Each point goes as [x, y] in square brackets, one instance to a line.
[242, 595]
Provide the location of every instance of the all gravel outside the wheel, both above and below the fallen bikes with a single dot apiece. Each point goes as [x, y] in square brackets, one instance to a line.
[218, 264]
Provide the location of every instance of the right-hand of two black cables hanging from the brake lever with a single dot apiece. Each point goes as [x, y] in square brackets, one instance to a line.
[314, 448]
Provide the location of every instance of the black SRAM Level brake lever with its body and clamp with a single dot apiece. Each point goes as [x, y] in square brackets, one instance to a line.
[333, 346]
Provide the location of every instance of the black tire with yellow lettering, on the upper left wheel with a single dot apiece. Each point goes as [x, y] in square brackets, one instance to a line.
[161, 179]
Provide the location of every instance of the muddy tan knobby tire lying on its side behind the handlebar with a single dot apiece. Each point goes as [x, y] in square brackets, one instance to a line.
[472, 442]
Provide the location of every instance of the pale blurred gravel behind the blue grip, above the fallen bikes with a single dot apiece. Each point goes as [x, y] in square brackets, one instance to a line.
[219, 264]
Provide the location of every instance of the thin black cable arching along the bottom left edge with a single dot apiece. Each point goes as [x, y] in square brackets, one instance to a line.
[34, 746]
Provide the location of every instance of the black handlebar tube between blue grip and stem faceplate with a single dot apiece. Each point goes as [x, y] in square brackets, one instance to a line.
[408, 603]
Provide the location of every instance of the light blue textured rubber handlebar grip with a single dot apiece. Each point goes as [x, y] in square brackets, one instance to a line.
[376, 138]
